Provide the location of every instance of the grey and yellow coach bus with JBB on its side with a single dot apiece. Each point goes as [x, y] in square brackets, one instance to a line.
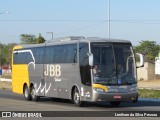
[77, 68]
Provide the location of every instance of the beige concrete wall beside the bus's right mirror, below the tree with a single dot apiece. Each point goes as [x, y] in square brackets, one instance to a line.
[147, 72]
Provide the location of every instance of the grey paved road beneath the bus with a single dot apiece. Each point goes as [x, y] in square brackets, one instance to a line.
[14, 102]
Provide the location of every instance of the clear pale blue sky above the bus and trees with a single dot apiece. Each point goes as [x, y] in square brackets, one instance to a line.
[133, 20]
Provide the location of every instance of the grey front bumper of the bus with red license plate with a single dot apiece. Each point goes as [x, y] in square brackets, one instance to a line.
[101, 96]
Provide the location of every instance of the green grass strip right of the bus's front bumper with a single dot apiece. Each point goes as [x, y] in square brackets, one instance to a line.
[145, 93]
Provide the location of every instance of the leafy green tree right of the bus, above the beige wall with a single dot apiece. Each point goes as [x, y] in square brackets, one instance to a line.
[149, 49]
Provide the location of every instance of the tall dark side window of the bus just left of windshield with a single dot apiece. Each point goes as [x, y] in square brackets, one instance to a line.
[84, 64]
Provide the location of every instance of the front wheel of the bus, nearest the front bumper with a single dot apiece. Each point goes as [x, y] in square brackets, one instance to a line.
[76, 98]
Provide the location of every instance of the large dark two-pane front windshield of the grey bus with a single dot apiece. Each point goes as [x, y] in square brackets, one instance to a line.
[114, 64]
